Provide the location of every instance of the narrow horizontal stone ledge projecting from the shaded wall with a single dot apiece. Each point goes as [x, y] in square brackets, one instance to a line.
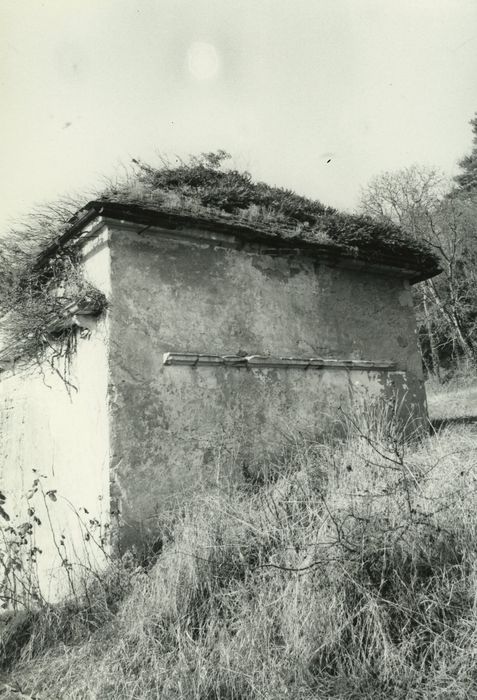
[192, 359]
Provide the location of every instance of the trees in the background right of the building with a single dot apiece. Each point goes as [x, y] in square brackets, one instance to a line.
[443, 213]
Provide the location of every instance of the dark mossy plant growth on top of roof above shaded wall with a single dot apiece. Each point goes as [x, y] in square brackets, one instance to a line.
[203, 190]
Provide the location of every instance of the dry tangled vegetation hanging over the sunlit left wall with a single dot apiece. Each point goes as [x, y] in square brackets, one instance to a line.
[38, 302]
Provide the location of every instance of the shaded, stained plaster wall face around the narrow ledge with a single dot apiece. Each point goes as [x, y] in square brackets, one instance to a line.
[176, 427]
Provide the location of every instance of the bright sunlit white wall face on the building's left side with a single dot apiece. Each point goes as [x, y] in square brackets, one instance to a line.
[61, 432]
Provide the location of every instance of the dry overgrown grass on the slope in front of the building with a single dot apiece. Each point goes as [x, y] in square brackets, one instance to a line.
[351, 573]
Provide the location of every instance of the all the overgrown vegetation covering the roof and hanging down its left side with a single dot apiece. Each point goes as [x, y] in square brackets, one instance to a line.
[35, 297]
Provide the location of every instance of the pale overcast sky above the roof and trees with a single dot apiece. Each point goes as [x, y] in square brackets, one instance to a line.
[315, 95]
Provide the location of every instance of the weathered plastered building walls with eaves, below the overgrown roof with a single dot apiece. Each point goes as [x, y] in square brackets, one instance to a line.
[219, 341]
